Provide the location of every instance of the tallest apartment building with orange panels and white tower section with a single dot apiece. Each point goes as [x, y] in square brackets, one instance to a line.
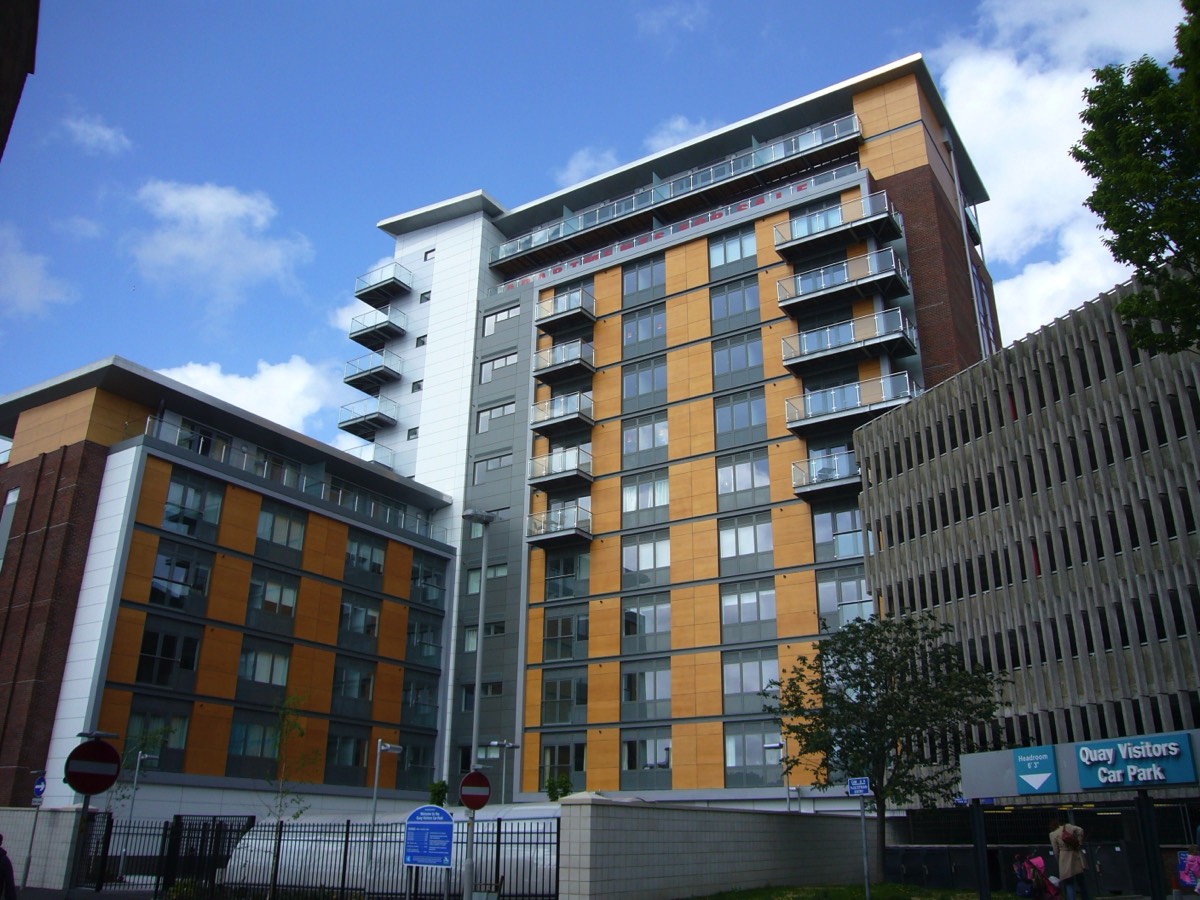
[657, 399]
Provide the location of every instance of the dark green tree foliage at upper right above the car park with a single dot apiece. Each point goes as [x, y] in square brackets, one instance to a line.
[1142, 146]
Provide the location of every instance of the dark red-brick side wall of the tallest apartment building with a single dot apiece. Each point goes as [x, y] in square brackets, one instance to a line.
[941, 283]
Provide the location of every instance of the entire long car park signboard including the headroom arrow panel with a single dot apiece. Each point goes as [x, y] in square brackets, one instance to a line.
[1144, 761]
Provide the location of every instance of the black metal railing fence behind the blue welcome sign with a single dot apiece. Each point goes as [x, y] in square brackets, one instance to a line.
[193, 859]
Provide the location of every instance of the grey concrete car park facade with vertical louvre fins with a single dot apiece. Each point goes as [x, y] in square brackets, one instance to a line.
[1045, 503]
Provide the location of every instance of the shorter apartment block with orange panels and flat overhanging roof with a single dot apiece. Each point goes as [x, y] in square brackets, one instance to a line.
[196, 581]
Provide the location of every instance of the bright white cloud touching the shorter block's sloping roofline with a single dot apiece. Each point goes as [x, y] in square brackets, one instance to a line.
[286, 393]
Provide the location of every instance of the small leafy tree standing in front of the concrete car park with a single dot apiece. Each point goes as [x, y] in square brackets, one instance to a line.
[885, 699]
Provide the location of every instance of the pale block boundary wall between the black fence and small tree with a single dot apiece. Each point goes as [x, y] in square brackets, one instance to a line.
[622, 849]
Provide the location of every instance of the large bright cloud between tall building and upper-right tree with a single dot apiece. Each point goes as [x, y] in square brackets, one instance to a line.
[1016, 100]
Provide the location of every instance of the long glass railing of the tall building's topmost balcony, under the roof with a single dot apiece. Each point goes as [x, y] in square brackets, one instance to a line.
[645, 199]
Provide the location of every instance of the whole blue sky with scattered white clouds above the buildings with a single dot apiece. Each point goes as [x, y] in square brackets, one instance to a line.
[196, 185]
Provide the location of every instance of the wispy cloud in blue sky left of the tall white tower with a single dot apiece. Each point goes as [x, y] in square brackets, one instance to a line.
[215, 242]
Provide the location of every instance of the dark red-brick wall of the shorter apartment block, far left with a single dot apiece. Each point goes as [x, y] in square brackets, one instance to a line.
[39, 591]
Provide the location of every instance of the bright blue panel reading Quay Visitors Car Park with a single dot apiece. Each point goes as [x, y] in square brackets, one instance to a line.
[1149, 761]
